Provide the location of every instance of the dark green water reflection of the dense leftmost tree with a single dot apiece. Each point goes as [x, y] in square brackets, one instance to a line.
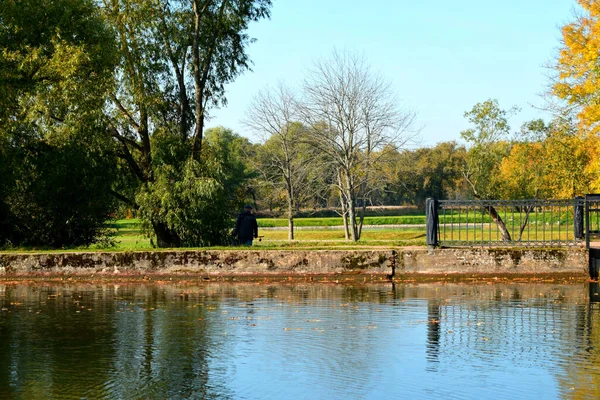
[51, 345]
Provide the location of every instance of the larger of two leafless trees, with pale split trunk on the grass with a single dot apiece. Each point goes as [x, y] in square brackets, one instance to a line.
[352, 114]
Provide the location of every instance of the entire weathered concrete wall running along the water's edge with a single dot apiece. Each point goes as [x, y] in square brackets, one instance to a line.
[416, 260]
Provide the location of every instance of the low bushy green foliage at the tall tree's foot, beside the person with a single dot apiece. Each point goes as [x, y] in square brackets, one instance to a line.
[196, 201]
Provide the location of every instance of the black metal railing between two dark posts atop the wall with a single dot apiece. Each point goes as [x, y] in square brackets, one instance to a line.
[506, 222]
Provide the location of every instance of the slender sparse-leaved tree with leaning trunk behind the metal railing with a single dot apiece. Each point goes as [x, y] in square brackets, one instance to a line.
[488, 147]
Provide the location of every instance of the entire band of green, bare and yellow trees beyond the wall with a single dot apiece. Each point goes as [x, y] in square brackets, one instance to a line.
[104, 106]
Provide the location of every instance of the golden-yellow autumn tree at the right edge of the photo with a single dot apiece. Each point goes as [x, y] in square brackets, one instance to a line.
[574, 158]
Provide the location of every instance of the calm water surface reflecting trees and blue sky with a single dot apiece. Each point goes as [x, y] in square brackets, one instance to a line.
[315, 341]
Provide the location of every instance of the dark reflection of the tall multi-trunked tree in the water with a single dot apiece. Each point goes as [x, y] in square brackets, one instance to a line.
[162, 345]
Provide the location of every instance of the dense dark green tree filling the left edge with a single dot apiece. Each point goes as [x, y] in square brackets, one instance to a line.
[57, 57]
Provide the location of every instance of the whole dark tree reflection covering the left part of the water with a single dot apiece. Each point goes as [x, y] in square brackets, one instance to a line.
[133, 343]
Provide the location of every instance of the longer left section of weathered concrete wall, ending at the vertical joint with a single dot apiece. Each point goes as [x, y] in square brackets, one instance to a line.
[211, 263]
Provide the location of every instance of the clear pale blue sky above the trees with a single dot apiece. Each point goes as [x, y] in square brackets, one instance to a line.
[441, 56]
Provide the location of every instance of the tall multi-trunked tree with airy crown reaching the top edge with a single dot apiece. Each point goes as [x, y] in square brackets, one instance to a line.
[176, 56]
